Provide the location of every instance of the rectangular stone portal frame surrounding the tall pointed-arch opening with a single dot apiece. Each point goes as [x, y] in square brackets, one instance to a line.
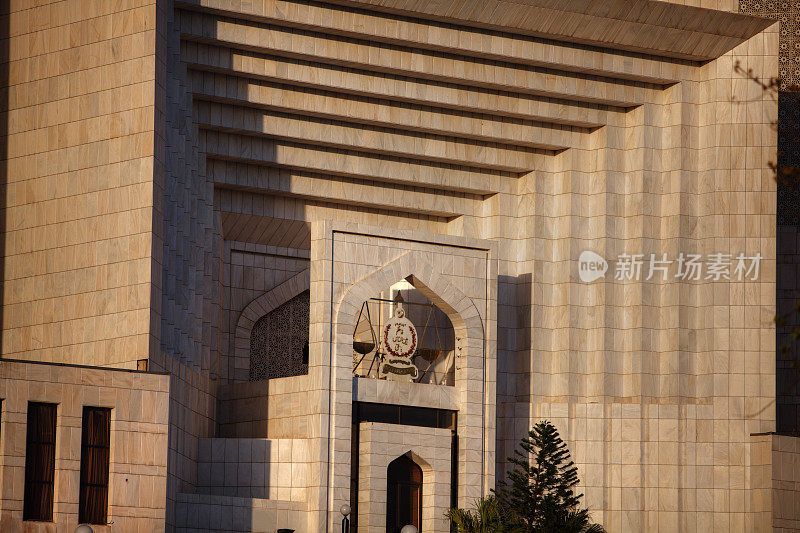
[351, 263]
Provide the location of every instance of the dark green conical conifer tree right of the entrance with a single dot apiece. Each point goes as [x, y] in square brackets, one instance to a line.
[540, 493]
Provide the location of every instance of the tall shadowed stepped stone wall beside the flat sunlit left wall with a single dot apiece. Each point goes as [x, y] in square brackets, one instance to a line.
[187, 273]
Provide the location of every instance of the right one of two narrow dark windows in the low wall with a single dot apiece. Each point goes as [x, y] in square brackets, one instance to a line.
[95, 447]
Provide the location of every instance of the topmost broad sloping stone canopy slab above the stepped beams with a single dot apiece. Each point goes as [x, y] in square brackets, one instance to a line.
[645, 26]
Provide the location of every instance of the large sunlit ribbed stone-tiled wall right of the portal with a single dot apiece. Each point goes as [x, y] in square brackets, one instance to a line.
[688, 366]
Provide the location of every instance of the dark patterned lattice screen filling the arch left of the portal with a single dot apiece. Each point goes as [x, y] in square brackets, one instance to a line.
[279, 339]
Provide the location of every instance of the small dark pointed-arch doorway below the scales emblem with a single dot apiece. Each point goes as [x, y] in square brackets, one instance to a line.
[403, 494]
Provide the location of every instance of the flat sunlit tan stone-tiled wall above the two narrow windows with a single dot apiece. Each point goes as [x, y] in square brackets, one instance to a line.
[79, 170]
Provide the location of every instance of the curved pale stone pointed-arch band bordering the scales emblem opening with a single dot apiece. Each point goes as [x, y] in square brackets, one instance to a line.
[472, 376]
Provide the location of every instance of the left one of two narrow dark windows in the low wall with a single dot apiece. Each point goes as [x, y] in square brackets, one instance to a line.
[40, 462]
